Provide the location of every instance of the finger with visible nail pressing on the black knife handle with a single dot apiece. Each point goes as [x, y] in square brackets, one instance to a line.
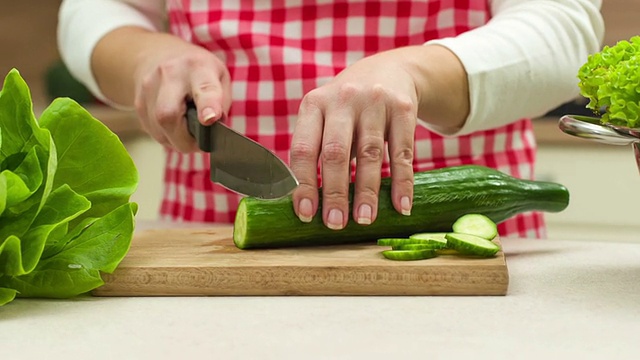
[207, 92]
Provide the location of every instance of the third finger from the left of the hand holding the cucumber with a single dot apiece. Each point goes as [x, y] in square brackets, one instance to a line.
[369, 147]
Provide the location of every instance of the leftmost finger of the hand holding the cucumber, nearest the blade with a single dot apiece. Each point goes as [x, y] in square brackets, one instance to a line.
[305, 150]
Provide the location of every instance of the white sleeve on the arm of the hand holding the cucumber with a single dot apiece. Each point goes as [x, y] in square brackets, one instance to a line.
[525, 60]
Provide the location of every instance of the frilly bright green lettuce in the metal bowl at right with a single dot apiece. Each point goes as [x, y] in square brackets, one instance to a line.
[610, 79]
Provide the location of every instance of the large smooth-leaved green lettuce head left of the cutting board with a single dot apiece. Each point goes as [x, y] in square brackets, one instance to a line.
[65, 186]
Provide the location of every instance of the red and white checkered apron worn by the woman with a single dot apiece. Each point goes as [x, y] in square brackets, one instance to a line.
[277, 51]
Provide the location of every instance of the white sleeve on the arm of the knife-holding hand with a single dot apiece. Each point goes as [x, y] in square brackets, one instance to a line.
[82, 23]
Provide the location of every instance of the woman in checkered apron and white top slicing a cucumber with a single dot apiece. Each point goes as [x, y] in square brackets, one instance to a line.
[402, 86]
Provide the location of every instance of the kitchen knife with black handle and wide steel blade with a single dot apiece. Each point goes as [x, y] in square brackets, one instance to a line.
[239, 163]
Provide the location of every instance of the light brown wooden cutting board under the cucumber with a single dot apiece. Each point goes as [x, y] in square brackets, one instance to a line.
[205, 262]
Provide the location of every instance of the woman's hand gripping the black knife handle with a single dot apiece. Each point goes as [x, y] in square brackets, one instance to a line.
[164, 80]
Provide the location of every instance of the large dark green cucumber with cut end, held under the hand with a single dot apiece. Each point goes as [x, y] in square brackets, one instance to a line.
[440, 197]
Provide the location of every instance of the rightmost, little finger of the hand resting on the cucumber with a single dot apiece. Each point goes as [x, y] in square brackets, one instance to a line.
[401, 144]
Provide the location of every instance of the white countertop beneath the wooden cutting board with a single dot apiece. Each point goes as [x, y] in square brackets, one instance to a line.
[566, 299]
